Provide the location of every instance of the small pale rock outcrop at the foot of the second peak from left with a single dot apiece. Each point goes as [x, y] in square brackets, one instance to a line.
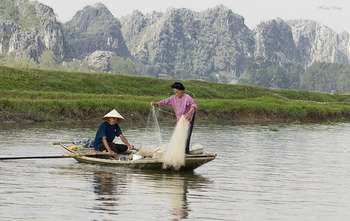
[100, 60]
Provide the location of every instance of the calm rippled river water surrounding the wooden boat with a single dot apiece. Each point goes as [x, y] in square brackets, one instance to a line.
[271, 172]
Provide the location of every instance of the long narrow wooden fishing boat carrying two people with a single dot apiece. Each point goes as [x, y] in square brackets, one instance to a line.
[192, 161]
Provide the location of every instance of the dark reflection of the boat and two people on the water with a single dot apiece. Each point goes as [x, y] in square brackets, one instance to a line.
[169, 188]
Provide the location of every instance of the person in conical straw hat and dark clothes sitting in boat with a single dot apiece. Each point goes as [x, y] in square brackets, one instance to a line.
[106, 133]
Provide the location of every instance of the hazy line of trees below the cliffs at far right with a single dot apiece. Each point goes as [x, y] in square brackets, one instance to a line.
[320, 76]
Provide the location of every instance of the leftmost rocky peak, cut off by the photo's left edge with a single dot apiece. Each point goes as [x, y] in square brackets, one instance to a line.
[29, 28]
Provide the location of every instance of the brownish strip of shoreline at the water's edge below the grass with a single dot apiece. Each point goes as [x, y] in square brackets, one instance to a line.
[202, 117]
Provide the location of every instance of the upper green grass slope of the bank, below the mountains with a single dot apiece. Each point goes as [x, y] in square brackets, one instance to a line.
[40, 80]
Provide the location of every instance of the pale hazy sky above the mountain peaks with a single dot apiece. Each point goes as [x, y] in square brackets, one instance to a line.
[333, 13]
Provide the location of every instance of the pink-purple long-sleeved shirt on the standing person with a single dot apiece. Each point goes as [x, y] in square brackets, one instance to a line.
[180, 105]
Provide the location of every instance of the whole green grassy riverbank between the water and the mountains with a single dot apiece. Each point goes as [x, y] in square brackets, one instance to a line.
[38, 95]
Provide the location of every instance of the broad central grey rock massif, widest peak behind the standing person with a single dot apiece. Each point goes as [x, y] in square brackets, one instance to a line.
[183, 41]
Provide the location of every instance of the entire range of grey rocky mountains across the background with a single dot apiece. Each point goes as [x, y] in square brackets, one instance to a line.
[180, 42]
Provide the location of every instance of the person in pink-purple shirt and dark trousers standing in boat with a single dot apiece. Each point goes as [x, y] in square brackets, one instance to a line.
[183, 104]
